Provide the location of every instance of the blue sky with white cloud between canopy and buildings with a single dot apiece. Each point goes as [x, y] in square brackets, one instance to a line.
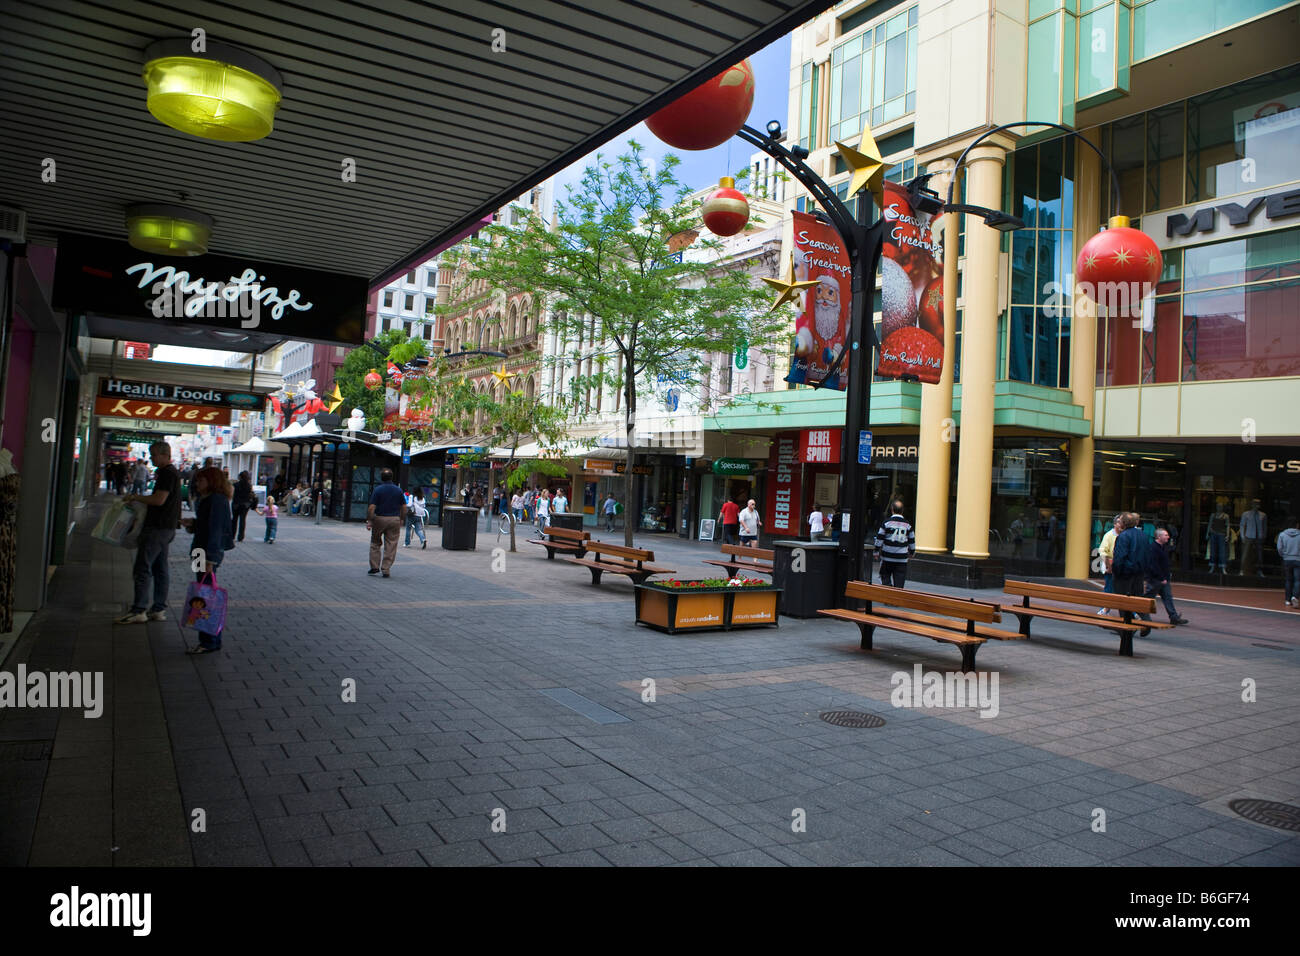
[699, 168]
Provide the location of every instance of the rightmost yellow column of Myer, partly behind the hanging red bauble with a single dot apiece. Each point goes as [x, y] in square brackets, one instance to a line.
[1084, 362]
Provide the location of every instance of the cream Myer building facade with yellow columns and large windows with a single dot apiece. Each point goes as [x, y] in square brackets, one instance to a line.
[1054, 414]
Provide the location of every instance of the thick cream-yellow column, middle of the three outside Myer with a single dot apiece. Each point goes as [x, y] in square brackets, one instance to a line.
[980, 356]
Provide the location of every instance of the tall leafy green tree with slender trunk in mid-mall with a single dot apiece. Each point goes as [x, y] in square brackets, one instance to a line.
[605, 269]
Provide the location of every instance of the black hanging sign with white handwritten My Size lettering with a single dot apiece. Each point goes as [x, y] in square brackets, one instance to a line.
[111, 278]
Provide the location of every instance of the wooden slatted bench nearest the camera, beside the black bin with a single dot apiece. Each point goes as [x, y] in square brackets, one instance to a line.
[947, 620]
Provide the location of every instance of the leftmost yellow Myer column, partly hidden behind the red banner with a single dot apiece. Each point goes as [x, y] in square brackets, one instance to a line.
[938, 434]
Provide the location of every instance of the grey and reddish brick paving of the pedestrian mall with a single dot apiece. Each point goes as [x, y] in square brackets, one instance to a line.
[452, 732]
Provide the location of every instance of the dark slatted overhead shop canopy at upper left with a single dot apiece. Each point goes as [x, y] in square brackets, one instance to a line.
[441, 129]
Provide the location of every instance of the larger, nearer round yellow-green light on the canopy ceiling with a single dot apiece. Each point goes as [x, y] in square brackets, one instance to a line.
[223, 93]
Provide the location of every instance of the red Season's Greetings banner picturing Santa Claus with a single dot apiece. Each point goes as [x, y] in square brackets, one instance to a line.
[822, 330]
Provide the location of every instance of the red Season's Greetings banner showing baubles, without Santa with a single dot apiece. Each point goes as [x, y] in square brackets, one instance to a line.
[912, 285]
